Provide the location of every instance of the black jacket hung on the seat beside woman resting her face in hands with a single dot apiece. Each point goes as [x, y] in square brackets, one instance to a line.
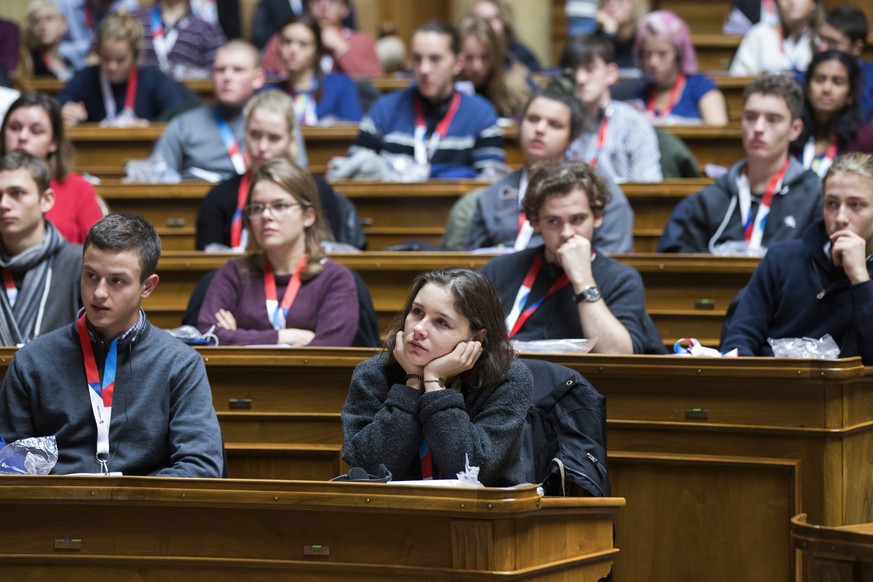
[564, 442]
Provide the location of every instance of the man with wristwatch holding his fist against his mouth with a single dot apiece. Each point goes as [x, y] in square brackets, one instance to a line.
[566, 288]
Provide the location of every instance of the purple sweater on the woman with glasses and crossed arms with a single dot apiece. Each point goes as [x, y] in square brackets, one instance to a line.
[326, 304]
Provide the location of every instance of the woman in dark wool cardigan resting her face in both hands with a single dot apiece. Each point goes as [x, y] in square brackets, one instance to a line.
[447, 387]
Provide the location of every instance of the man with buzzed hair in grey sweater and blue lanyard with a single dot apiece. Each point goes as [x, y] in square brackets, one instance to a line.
[207, 142]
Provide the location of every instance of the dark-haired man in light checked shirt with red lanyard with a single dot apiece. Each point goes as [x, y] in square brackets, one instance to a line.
[619, 140]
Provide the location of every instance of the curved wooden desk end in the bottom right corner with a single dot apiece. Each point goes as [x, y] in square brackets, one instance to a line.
[835, 554]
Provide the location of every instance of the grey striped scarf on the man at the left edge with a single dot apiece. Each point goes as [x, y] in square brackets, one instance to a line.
[20, 322]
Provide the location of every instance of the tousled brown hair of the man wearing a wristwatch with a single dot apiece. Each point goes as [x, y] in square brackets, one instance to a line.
[553, 179]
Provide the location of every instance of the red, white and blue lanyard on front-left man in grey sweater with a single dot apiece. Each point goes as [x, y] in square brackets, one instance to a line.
[100, 391]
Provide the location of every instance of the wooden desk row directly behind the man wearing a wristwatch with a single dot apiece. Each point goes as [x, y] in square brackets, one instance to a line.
[675, 284]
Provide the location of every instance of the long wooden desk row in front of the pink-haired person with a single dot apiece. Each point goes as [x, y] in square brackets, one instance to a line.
[103, 151]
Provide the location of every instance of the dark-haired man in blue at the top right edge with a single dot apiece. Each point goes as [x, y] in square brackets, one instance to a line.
[845, 29]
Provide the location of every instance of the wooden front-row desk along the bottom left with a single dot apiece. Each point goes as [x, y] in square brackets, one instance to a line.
[132, 528]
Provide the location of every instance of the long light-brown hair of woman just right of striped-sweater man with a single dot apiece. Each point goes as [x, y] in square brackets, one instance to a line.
[506, 86]
